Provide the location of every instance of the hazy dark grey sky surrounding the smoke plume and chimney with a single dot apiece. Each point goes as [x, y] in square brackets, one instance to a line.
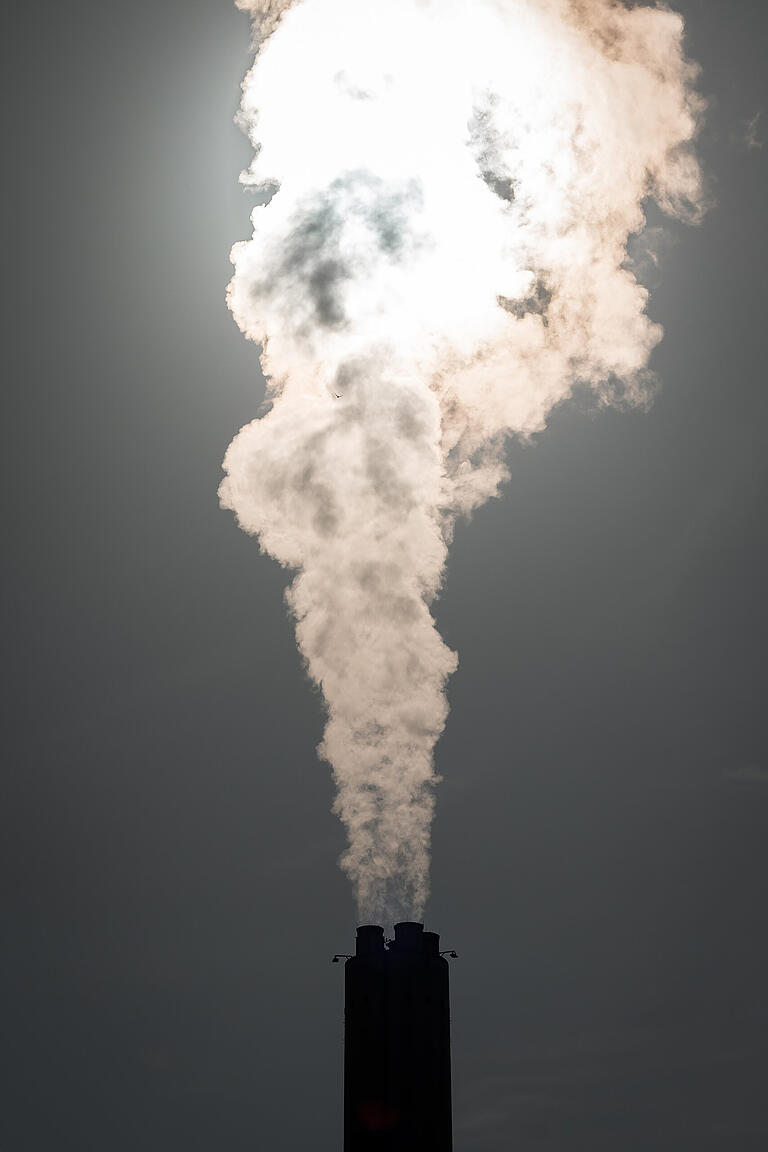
[602, 839]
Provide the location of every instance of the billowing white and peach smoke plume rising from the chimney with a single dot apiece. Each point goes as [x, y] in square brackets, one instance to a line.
[444, 257]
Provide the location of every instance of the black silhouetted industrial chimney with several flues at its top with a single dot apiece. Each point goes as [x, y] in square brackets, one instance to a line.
[397, 1043]
